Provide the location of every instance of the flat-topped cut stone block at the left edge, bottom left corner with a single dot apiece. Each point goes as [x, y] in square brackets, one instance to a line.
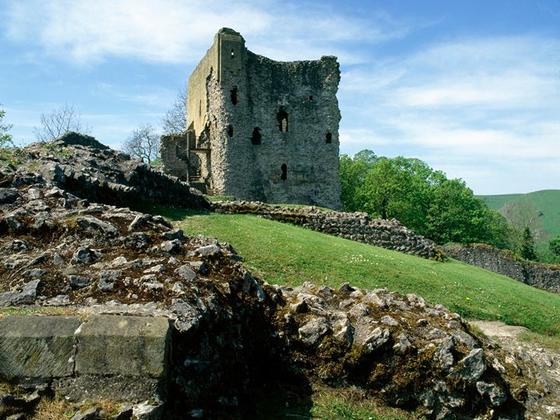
[37, 346]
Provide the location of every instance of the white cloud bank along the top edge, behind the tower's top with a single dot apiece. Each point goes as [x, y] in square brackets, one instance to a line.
[179, 31]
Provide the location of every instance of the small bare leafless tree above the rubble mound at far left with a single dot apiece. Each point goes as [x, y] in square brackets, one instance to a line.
[59, 122]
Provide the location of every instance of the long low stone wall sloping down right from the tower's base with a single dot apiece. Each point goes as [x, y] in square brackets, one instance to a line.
[359, 227]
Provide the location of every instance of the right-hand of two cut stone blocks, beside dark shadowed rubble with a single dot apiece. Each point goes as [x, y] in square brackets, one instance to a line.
[112, 345]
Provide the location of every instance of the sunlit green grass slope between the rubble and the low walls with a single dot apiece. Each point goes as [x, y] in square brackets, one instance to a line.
[286, 254]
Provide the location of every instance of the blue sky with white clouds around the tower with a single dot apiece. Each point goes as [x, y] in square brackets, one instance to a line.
[471, 87]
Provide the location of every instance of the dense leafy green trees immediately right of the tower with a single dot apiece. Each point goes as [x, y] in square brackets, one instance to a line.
[421, 198]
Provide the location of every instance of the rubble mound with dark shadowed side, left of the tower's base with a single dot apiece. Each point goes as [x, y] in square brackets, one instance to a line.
[81, 165]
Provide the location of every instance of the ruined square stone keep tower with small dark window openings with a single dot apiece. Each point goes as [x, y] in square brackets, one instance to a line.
[259, 129]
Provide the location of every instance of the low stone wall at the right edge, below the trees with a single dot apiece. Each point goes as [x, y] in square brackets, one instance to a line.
[543, 276]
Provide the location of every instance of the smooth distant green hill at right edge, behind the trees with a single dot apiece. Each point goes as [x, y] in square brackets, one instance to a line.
[540, 210]
